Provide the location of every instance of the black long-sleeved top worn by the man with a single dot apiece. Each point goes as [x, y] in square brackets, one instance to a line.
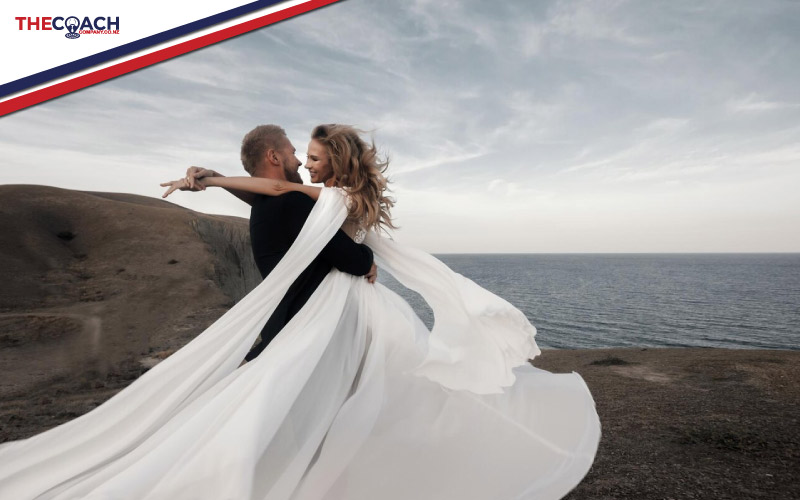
[275, 222]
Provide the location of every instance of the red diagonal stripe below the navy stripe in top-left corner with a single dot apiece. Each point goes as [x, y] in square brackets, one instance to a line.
[140, 62]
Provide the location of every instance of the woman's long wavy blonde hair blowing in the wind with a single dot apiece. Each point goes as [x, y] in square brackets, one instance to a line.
[358, 169]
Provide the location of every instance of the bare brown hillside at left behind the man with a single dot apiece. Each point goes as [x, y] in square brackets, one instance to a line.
[99, 285]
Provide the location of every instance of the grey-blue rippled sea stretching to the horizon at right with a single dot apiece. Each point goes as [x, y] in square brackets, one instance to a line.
[579, 301]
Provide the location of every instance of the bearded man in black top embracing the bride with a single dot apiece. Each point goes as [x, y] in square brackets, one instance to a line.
[275, 222]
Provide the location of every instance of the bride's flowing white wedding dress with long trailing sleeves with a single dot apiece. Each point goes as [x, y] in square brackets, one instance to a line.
[354, 400]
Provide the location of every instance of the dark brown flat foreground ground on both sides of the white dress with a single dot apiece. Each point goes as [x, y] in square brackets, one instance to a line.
[676, 422]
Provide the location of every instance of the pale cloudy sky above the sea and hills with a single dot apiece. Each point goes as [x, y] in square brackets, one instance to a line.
[515, 126]
